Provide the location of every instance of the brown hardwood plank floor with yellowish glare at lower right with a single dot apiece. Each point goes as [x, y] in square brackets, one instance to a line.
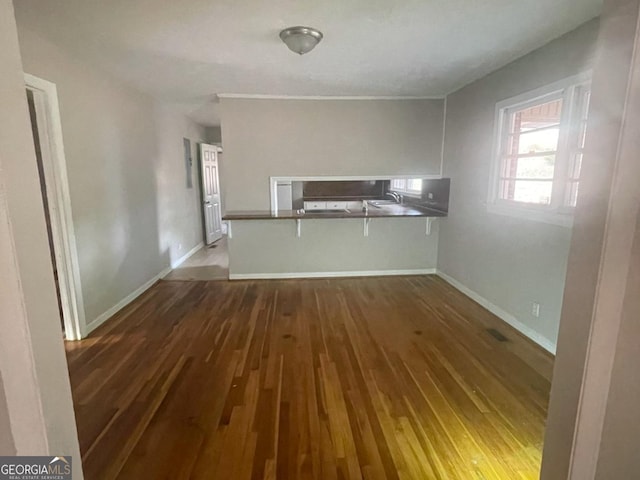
[369, 378]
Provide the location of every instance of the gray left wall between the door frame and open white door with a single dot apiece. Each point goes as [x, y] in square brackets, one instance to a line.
[132, 211]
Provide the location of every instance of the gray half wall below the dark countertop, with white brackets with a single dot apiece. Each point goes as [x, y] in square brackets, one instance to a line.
[336, 245]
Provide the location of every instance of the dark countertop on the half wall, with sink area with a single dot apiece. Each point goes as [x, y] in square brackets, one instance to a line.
[383, 212]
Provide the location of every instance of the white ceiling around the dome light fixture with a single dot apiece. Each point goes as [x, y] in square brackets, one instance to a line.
[187, 51]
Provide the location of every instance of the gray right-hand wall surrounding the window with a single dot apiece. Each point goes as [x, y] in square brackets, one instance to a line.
[510, 262]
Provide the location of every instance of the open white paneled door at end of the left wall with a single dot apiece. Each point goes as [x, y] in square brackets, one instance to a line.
[212, 210]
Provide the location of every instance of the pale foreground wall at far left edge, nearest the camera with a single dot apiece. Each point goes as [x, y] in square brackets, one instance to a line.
[32, 360]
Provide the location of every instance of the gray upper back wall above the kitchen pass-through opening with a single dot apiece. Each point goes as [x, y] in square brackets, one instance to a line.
[263, 138]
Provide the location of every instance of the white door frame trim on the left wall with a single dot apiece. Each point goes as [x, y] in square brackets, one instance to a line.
[45, 95]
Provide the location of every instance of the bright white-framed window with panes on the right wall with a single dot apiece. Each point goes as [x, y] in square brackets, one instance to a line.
[539, 149]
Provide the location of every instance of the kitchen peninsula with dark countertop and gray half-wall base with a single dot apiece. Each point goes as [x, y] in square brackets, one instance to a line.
[374, 236]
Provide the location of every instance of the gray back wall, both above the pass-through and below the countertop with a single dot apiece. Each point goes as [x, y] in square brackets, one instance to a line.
[263, 138]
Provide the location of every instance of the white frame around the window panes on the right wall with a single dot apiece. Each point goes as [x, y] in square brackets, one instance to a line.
[557, 213]
